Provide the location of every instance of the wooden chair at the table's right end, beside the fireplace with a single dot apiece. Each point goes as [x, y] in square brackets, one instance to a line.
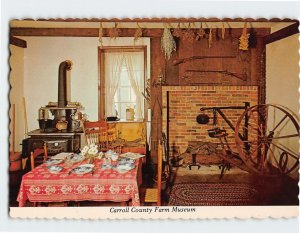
[154, 194]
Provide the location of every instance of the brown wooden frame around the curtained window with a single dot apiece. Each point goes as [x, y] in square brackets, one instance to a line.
[101, 74]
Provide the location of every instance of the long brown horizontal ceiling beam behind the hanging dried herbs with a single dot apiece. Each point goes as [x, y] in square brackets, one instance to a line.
[94, 32]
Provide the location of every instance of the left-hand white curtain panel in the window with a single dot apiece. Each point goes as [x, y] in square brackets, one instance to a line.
[113, 66]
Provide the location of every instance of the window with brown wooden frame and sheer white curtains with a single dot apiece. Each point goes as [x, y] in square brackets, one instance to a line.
[122, 81]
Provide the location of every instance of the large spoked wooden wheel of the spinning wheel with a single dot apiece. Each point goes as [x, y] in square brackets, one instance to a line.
[271, 146]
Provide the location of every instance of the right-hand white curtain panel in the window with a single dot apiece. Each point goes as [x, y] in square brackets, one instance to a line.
[134, 62]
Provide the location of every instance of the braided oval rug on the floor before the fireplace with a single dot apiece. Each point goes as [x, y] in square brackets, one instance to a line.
[213, 194]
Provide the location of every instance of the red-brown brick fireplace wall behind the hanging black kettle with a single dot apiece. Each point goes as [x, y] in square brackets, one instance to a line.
[184, 106]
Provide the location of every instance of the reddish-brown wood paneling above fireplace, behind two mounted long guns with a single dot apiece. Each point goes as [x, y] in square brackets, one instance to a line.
[245, 61]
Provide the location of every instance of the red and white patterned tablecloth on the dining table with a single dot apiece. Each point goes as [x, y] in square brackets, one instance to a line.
[39, 185]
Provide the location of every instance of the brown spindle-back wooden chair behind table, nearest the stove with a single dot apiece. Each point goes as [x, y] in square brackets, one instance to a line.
[96, 132]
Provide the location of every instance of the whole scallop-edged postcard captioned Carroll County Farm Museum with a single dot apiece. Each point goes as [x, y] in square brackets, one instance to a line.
[156, 118]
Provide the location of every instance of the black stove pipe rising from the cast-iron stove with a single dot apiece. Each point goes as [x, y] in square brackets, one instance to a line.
[62, 83]
